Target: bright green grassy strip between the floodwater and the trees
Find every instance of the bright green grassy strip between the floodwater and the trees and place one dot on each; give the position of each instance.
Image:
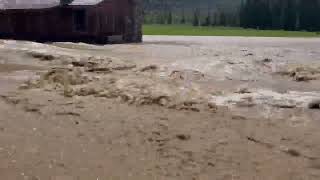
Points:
(188, 30)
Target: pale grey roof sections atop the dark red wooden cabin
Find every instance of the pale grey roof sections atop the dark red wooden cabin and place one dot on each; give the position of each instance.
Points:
(39, 4)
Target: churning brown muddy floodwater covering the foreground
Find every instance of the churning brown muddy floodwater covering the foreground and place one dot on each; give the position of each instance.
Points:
(171, 108)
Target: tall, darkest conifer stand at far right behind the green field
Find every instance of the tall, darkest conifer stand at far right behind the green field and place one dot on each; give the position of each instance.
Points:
(281, 14)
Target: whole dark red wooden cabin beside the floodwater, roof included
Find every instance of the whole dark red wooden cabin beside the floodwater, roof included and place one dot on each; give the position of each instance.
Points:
(92, 21)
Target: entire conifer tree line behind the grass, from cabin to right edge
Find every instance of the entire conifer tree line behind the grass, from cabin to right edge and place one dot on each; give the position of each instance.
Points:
(258, 14)
